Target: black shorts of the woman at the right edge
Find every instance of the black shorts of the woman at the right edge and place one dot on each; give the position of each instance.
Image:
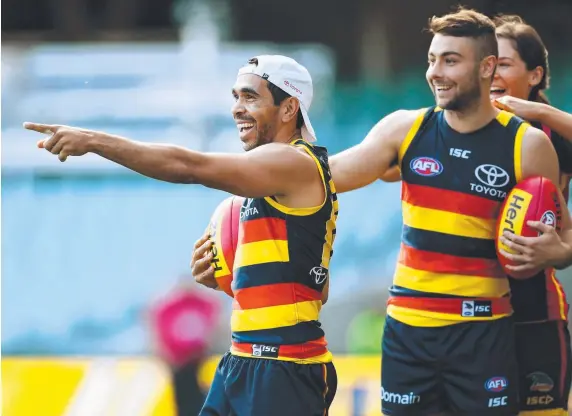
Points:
(543, 354)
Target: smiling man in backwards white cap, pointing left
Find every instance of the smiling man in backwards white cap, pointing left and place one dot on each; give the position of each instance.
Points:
(278, 363)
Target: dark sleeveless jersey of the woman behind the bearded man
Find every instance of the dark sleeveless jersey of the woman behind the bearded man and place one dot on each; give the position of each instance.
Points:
(542, 297)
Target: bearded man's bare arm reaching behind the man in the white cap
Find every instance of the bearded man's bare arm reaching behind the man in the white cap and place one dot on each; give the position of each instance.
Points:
(368, 161)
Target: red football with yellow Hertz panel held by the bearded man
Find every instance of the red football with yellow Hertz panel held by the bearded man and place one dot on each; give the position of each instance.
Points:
(533, 199)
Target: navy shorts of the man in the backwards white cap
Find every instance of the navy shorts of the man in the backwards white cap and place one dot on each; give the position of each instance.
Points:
(245, 386)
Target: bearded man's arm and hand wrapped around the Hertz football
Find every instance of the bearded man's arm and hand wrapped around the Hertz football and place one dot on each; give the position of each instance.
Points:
(549, 249)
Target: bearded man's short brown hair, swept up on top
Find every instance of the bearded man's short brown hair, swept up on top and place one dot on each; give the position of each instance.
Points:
(470, 24)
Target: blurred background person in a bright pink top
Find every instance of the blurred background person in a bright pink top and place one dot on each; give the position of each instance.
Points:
(182, 323)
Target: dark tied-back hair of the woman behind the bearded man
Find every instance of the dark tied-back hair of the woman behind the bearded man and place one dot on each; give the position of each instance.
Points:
(530, 48)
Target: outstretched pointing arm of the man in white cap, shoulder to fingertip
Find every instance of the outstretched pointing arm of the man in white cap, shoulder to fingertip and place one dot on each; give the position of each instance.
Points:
(269, 170)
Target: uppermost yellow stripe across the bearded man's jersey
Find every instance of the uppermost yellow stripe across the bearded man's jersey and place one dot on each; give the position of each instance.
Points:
(447, 222)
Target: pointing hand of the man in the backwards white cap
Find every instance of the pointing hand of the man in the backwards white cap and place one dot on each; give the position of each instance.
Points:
(64, 141)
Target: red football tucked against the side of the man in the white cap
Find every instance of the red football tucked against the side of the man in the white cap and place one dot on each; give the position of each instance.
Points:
(223, 229)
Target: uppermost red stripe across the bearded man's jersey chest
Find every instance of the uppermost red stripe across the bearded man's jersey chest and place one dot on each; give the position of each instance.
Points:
(450, 201)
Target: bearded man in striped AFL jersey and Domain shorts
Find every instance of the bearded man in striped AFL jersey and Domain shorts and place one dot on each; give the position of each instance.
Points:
(448, 343)
